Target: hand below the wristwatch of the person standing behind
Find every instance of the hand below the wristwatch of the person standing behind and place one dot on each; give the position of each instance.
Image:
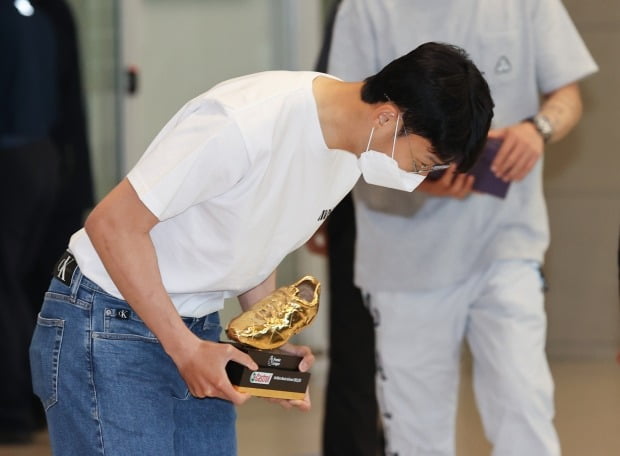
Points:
(521, 149)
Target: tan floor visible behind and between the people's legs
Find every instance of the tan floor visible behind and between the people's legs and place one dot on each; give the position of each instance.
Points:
(587, 403)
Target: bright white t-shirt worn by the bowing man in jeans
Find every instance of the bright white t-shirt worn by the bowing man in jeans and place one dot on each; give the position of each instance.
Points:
(239, 177)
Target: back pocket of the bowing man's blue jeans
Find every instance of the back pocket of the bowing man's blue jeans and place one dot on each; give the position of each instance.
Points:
(44, 358)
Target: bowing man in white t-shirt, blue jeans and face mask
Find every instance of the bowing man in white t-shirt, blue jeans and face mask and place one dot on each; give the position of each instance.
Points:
(125, 355)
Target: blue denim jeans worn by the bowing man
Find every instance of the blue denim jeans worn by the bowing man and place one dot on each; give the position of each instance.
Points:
(109, 388)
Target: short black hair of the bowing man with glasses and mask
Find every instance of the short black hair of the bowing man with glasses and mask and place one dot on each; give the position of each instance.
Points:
(443, 96)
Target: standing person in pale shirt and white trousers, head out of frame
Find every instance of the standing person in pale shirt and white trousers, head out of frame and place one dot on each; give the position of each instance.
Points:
(448, 264)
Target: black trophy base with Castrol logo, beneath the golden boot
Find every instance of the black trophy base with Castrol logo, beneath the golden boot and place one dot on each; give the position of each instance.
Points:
(277, 375)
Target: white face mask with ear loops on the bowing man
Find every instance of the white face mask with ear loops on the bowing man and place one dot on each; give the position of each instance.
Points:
(379, 169)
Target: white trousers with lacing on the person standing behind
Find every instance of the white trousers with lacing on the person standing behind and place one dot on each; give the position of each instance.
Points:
(501, 313)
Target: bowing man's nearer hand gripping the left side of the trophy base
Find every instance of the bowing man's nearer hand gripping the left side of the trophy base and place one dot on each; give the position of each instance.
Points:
(203, 367)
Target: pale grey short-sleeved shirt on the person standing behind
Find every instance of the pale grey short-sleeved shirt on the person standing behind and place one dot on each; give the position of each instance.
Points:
(524, 48)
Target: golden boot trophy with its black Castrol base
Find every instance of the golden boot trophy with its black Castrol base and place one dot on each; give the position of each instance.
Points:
(269, 324)
